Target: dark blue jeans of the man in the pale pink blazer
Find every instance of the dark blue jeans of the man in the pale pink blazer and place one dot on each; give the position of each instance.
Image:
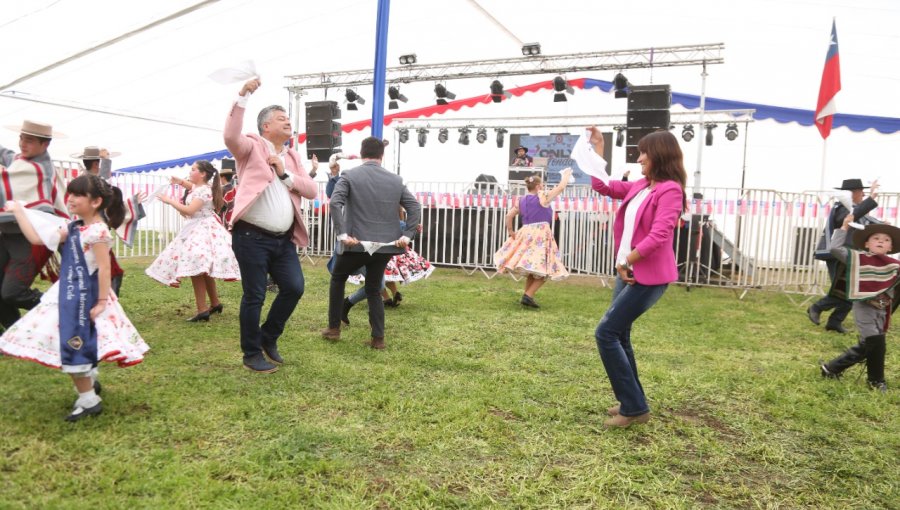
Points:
(258, 256)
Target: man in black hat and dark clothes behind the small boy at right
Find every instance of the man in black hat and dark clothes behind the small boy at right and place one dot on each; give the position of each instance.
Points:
(860, 206)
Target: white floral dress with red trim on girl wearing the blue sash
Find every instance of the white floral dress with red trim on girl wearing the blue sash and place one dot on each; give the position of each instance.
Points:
(35, 336)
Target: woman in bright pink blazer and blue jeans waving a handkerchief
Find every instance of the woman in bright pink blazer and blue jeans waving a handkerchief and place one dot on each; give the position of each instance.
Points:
(645, 261)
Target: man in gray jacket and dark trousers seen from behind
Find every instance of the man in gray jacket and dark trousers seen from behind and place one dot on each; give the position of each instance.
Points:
(365, 209)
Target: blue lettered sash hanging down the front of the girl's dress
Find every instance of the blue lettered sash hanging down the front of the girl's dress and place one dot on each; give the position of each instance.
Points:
(77, 294)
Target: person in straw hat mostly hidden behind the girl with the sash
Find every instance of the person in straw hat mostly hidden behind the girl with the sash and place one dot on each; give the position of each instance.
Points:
(97, 161)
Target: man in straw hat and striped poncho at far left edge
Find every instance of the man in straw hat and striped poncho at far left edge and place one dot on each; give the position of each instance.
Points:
(29, 178)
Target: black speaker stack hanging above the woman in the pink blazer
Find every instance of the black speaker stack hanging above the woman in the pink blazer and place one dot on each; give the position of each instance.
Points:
(648, 111)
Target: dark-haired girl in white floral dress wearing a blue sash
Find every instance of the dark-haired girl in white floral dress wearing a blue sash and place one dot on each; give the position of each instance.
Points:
(79, 321)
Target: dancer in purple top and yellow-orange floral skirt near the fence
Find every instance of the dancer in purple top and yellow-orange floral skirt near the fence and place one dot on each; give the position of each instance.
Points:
(532, 251)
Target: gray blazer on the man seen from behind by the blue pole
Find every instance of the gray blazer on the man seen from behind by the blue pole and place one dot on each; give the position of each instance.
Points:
(366, 205)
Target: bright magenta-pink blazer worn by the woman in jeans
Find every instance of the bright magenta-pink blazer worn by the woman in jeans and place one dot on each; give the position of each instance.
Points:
(654, 226)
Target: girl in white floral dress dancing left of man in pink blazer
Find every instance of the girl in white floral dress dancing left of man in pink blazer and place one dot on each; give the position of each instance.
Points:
(202, 250)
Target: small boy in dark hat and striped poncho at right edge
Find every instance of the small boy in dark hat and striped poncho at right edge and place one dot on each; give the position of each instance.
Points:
(872, 287)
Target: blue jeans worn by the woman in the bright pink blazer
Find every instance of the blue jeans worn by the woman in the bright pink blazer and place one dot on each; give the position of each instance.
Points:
(613, 336)
